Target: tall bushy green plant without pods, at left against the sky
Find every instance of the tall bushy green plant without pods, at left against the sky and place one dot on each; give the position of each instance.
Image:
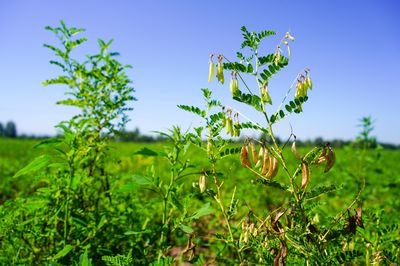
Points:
(75, 200)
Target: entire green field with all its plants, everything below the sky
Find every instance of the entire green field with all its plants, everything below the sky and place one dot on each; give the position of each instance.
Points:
(211, 195)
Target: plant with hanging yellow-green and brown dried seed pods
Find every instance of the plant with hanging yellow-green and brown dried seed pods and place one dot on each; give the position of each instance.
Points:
(289, 234)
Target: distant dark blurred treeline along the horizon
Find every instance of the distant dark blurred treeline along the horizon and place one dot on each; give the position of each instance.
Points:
(9, 130)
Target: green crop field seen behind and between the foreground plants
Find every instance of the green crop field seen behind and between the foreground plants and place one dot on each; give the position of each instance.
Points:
(379, 197)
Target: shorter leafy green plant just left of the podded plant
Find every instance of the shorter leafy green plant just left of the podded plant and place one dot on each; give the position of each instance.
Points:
(175, 207)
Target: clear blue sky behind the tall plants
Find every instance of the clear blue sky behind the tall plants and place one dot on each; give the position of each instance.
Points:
(351, 47)
